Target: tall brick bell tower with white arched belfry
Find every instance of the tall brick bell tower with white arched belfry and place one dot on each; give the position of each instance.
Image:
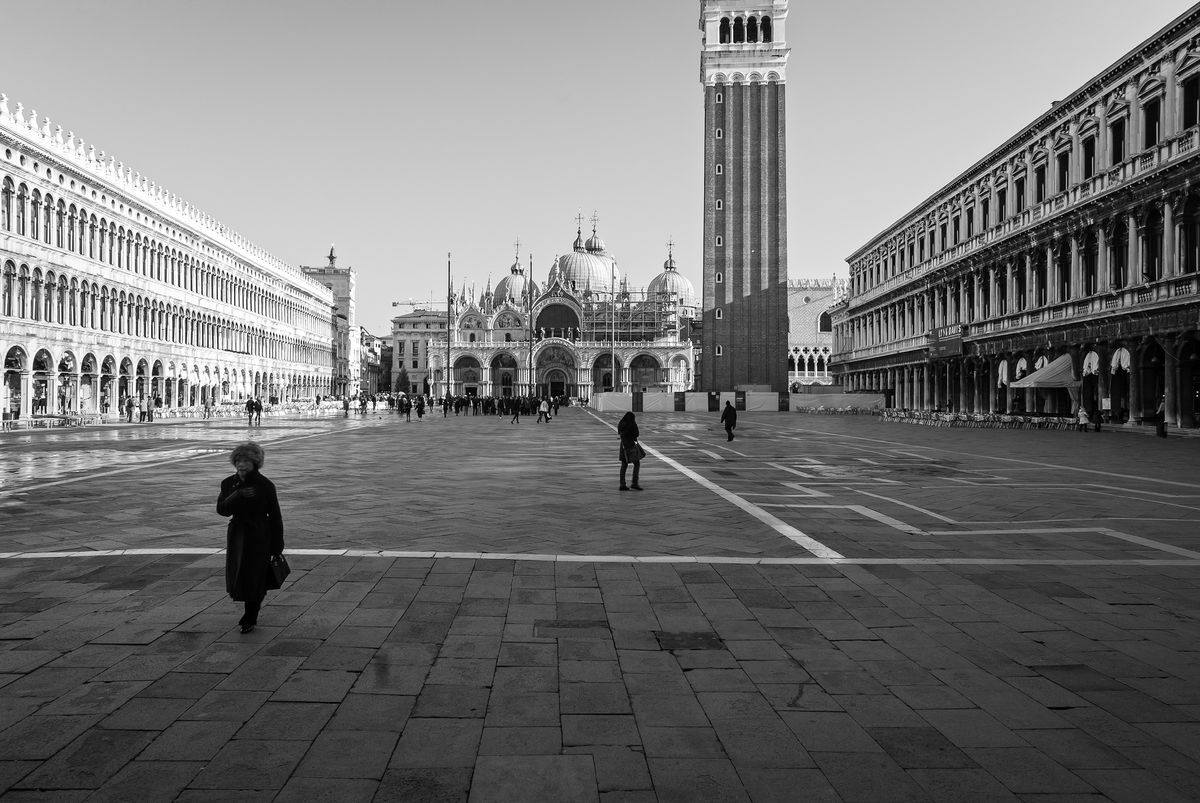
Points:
(743, 68)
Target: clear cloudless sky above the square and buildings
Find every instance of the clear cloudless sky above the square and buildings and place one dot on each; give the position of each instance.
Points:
(401, 131)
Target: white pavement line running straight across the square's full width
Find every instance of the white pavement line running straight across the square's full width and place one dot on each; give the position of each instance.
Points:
(634, 559)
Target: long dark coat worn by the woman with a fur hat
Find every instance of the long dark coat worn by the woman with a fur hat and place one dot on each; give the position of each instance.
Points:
(256, 534)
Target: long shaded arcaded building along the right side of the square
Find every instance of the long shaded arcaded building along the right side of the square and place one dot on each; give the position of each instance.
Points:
(1079, 236)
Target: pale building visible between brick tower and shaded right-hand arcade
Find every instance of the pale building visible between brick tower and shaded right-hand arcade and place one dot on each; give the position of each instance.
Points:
(811, 332)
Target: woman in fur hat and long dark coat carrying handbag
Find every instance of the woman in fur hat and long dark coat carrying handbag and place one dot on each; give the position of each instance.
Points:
(256, 531)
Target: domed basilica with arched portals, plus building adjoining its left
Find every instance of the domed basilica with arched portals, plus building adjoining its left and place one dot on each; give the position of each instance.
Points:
(584, 332)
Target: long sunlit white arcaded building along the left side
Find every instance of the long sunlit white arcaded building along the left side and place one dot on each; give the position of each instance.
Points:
(112, 287)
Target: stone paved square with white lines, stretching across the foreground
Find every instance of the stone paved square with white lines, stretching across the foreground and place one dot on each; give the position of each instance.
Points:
(872, 610)
